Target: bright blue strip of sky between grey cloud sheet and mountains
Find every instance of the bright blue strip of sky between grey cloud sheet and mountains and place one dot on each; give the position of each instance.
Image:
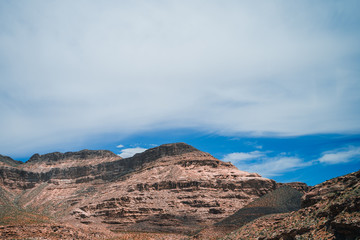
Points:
(256, 155)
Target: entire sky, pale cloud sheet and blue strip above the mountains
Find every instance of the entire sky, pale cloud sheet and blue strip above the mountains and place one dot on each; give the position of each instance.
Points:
(271, 86)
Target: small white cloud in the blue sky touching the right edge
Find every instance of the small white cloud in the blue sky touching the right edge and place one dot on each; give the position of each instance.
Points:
(341, 155)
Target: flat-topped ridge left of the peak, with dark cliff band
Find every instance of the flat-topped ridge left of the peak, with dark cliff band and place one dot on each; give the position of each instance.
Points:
(82, 166)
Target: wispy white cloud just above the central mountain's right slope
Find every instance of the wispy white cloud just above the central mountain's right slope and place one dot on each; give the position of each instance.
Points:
(267, 166)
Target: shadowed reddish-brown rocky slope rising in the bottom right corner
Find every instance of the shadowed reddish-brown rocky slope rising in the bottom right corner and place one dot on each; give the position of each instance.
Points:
(330, 210)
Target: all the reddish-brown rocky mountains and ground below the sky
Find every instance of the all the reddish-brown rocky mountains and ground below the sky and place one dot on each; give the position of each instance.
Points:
(173, 191)
